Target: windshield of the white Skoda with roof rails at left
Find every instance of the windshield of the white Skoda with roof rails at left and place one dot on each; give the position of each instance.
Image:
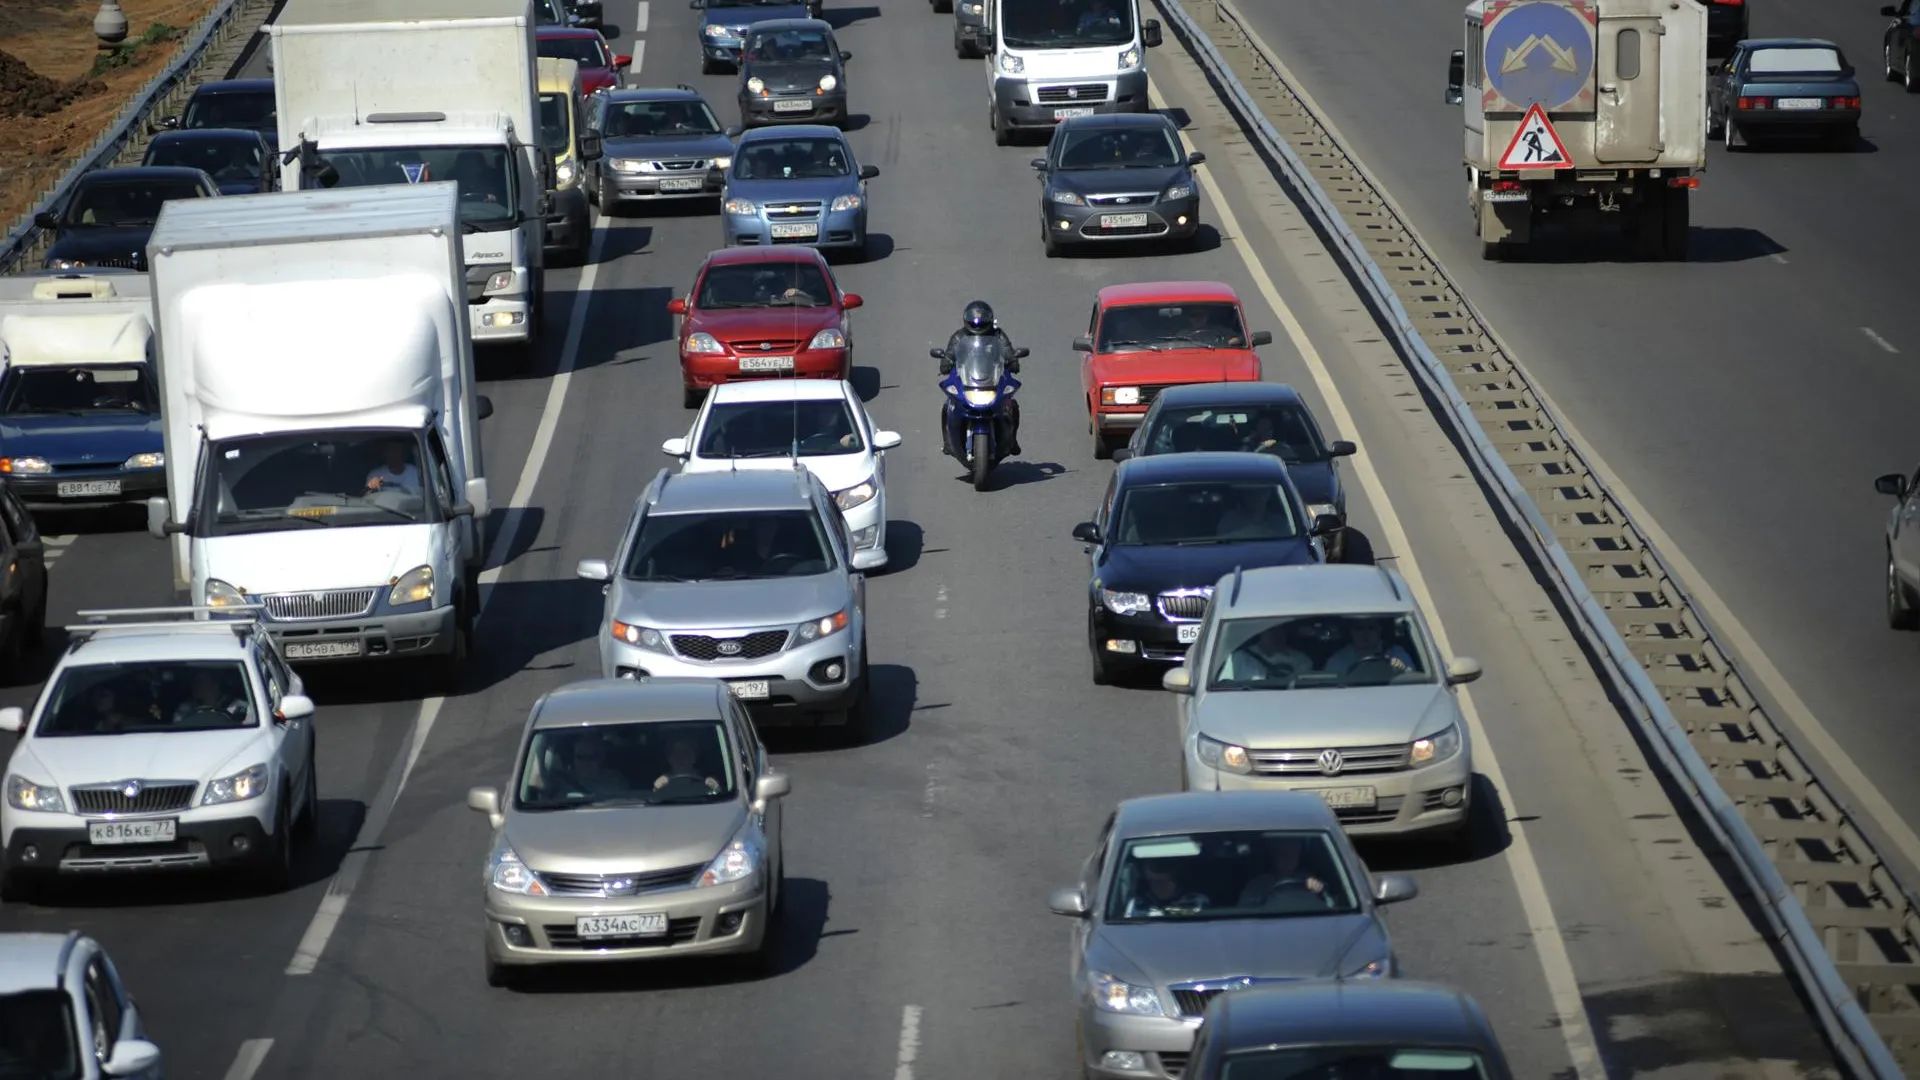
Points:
(149, 697)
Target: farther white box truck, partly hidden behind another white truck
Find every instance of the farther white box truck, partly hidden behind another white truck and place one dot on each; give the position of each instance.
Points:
(373, 93)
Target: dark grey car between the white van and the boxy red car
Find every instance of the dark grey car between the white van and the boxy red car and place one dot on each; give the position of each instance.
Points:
(1116, 178)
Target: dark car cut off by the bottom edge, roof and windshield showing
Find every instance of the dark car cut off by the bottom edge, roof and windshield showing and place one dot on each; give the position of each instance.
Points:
(1383, 1029)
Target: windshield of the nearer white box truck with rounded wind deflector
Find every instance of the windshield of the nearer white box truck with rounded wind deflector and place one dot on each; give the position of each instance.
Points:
(337, 479)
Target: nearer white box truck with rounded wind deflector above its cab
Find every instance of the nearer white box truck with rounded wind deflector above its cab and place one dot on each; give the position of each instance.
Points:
(322, 424)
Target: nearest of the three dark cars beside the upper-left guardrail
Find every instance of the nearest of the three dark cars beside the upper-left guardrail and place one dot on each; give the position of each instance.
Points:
(112, 212)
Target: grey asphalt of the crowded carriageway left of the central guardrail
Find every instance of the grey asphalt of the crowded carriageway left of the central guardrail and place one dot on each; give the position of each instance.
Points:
(919, 943)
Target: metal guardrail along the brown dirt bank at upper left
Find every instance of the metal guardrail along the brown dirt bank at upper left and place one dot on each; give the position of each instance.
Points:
(201, 57)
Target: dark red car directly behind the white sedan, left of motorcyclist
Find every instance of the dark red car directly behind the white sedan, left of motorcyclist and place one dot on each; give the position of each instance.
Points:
(763, 314)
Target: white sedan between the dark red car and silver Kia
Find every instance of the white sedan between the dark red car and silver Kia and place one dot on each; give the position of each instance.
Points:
(771, 424)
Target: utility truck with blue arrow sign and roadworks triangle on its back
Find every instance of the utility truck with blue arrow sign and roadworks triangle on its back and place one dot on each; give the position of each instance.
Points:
(1583, 110)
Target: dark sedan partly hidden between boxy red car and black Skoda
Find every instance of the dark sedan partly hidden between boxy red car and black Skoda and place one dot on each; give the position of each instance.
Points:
(1262, 418)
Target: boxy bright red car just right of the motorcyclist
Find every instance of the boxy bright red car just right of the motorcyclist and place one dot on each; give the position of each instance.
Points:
(1147, 337)
